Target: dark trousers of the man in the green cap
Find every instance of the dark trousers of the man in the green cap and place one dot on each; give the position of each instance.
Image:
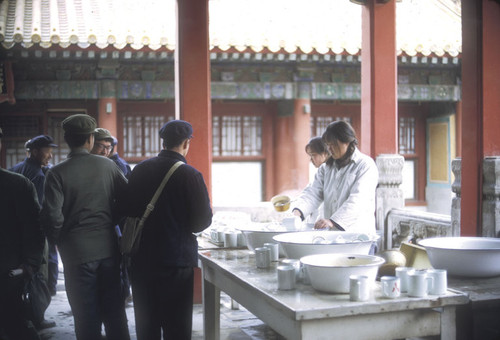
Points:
(95, 298)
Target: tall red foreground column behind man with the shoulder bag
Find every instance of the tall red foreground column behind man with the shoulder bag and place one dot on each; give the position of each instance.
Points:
(192, 82)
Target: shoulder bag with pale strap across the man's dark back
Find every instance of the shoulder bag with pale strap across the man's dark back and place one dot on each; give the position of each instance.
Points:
(132, 230)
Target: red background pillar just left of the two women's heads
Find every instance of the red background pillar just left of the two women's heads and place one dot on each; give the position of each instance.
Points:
(292, 134)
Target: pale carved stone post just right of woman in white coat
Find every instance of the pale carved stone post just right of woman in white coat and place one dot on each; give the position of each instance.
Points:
(389, 194)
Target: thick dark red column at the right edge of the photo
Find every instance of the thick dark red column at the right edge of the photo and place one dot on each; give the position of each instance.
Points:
(480, 103)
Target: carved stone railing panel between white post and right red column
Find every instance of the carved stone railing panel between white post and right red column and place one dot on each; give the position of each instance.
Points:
(404, 225)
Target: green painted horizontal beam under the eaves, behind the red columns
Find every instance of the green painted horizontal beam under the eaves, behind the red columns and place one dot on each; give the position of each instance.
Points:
(143, 90)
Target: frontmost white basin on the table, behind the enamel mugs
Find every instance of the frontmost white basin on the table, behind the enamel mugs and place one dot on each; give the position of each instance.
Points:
(330, 272)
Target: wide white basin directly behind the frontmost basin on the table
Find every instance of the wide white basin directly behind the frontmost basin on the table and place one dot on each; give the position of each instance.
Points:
(297, 245)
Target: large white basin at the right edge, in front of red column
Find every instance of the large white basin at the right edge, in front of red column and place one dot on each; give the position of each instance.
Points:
(464, 256)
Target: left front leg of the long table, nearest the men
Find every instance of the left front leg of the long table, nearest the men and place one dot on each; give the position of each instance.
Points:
(211, 311)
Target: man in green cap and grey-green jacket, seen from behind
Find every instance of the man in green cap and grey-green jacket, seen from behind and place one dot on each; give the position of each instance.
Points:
(77, 215)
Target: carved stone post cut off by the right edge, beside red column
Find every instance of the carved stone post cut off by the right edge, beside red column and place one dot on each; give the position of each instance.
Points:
(491, 196)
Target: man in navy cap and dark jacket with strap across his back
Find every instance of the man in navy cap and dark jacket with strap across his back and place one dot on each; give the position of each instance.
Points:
(162, 272)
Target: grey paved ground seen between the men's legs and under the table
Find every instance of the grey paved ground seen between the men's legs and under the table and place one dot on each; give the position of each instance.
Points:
(236, 324)
